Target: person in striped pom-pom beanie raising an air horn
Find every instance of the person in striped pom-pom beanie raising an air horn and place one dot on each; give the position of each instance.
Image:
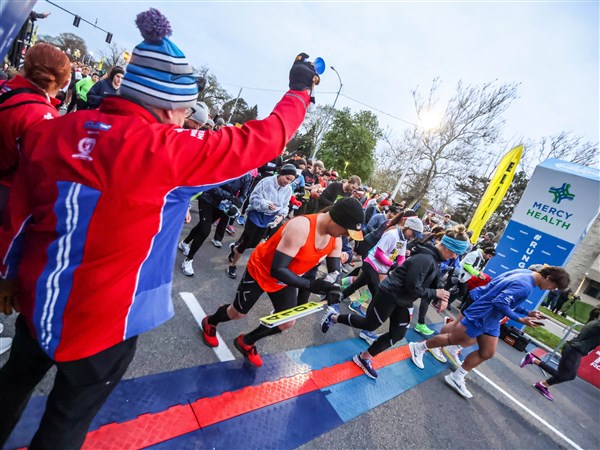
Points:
(129, 172)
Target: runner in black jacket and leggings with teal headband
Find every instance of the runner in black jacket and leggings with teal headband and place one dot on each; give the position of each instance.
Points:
(417, 278)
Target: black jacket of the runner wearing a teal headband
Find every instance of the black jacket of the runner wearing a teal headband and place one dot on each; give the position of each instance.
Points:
(417, 277)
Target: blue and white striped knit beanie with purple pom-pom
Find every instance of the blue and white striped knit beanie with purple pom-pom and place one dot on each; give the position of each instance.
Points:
(158, 73)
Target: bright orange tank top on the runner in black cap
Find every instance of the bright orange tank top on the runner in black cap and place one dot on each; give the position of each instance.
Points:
(261, 260)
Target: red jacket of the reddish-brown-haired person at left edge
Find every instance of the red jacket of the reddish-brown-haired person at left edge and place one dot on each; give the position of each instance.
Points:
(18, 114)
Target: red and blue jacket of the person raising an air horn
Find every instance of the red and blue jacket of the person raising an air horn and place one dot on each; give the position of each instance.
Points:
(97, 206)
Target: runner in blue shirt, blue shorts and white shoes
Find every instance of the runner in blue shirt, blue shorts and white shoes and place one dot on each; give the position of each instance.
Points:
(481, 321)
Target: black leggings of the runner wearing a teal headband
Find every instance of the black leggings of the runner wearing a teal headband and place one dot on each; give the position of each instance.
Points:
(380, 309)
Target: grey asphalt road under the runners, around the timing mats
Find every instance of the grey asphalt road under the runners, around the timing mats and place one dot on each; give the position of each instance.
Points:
(428, 416)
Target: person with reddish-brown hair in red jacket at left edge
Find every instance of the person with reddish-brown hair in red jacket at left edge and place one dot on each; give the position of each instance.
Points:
(27, 100)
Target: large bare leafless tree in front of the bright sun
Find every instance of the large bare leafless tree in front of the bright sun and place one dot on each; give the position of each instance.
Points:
(471, 122)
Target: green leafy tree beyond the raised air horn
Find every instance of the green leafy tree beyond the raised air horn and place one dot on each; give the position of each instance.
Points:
(350, 143)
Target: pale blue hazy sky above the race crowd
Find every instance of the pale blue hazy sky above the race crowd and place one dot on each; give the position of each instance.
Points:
(382, 51)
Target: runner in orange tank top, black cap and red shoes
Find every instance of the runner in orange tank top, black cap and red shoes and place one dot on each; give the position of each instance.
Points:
(277, 267)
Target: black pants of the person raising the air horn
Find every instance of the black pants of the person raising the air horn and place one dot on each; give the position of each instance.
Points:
(80, 389)
